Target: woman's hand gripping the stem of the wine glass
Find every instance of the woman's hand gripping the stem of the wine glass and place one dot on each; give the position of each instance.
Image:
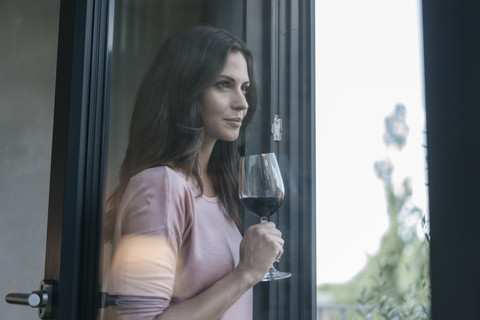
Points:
(261, 246)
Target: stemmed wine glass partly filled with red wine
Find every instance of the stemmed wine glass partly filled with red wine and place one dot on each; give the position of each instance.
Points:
(262, 193)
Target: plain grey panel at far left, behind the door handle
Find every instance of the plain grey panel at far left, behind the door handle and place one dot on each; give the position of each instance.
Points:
(28, 38)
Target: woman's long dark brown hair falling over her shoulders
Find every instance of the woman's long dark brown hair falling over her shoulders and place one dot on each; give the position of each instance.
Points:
(167, 126)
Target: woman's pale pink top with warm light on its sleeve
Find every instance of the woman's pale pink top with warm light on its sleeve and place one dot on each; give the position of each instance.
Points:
(169, 245)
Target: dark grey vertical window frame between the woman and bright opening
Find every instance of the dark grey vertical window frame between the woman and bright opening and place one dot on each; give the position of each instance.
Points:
(286, 68)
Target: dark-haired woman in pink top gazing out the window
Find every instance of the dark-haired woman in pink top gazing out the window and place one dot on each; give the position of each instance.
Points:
(178, 253)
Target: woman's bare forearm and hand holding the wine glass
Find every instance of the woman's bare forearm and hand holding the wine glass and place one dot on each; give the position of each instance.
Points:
(261, 246)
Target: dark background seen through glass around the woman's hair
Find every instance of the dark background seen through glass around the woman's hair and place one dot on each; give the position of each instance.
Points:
(140, 28)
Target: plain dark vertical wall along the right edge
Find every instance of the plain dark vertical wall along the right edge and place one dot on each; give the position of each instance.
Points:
(452, 92)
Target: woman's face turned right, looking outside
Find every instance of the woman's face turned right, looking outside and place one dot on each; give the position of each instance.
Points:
(223, 103)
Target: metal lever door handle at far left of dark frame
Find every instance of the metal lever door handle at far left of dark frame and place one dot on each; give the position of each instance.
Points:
(41, 299)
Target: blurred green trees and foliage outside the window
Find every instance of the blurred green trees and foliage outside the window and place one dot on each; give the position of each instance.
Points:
(395, 282)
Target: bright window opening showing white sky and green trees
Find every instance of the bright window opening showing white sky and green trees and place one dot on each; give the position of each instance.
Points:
(371, 175)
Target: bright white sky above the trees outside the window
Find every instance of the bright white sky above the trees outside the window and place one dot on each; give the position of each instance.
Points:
(368, 60)
